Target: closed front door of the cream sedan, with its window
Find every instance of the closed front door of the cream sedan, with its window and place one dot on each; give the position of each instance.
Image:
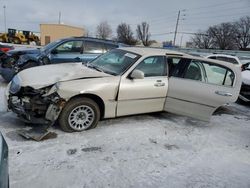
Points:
(147, 94)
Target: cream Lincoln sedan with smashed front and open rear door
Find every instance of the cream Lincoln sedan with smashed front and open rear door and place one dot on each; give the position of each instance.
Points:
(123, 82)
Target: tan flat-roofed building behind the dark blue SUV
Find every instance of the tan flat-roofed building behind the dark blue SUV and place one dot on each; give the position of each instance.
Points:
(52, 32)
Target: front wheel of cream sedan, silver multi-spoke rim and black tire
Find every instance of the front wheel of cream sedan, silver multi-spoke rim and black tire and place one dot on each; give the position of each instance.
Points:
(79, 114)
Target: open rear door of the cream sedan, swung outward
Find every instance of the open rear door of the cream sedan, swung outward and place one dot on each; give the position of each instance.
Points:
(197, 88)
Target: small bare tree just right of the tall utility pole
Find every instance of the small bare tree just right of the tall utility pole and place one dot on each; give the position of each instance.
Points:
(202, 40)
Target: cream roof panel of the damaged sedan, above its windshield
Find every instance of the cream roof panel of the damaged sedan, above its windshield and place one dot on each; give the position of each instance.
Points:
(152, 51)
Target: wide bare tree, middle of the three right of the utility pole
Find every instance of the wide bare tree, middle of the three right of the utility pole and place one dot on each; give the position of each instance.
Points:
(223, 36)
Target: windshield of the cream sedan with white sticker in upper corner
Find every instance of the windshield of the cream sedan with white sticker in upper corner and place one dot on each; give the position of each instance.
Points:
(114, 62)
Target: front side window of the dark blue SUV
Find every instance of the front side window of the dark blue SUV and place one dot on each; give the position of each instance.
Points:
(70, 47)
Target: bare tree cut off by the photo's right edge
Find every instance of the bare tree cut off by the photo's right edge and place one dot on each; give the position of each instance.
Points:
(242, 32)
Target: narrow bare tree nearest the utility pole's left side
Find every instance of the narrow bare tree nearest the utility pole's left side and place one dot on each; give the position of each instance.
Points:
(143, 33)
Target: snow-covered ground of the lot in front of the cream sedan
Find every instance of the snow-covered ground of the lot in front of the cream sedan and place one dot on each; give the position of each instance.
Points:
(152, 150)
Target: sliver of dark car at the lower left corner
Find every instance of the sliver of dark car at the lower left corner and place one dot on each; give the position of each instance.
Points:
(4, 172)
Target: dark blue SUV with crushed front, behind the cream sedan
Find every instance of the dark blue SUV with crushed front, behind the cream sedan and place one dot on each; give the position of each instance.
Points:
(74, 49)
